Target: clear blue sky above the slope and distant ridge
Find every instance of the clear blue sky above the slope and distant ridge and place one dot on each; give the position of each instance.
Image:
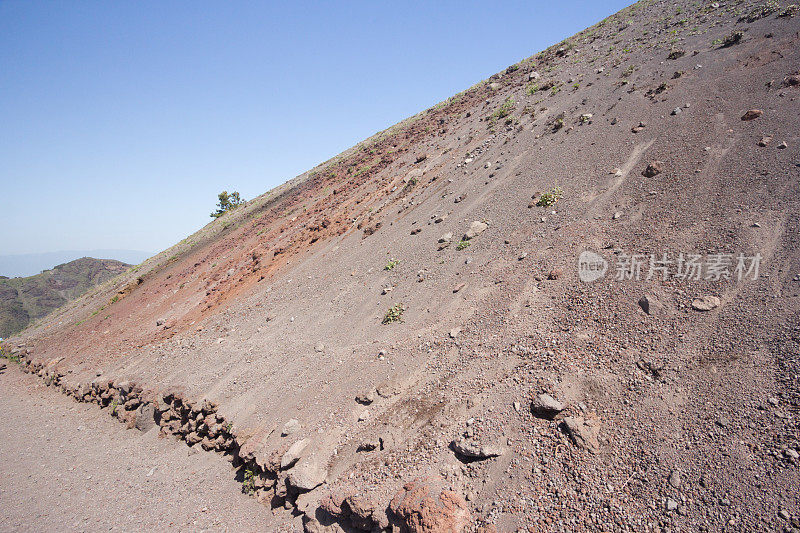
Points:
(121, 121)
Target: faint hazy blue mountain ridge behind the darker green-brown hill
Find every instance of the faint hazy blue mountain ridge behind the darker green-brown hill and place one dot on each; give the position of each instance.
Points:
(31, 264)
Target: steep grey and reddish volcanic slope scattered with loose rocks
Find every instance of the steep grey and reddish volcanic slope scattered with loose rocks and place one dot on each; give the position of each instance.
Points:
(405, 304)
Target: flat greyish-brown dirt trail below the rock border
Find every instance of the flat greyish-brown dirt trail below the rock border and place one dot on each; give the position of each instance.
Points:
(67, 466)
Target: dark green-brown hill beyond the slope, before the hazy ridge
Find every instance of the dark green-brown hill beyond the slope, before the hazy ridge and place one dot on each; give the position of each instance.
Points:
(26, 299)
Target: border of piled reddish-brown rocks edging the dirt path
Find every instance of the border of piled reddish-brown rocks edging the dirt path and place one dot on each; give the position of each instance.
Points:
(272, 483)
